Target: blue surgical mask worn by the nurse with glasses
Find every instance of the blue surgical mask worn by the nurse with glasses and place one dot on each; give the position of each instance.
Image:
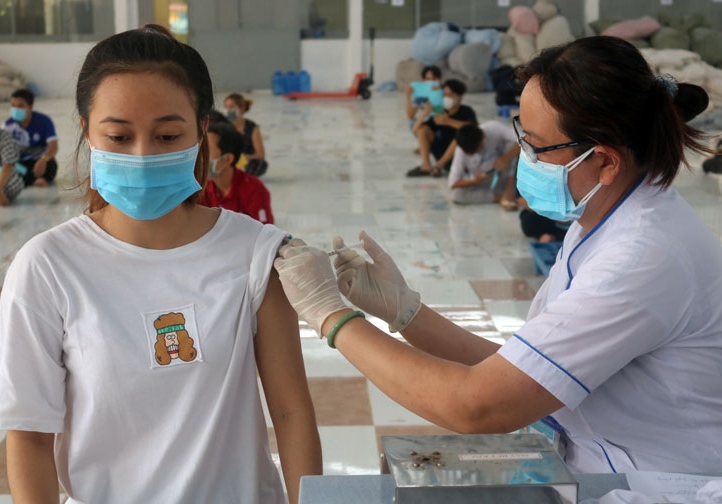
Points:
(545, 189)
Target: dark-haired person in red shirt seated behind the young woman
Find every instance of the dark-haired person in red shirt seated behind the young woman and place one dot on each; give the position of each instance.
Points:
(228, 187)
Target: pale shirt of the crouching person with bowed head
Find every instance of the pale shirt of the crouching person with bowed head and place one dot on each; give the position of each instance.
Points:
(498, 139)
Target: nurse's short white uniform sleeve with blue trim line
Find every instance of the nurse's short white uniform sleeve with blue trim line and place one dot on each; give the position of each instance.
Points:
(617, 308)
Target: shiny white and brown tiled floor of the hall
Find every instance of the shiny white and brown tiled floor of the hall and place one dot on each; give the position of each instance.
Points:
(337, 167)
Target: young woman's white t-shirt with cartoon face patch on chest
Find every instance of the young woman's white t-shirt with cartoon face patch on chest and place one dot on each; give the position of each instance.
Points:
(142, 362)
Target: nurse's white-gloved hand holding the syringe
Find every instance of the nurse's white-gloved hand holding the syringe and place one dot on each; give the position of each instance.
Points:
(377, 288)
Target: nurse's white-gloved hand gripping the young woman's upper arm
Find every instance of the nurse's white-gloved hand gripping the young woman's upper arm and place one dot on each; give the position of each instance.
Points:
(309, 283)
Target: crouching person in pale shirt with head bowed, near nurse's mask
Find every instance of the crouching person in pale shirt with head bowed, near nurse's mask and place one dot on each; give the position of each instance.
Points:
(484, 165)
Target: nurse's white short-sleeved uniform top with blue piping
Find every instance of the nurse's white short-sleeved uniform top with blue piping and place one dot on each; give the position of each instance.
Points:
(627, 333)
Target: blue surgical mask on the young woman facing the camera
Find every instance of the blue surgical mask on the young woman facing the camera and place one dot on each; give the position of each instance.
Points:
(144, 187)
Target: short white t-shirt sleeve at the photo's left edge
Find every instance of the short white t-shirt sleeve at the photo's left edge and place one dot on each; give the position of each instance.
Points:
(32, 372)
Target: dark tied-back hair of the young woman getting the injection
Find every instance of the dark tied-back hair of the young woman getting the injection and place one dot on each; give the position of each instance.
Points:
(150, 48)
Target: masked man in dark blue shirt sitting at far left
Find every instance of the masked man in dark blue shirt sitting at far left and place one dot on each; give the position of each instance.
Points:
(35, 134)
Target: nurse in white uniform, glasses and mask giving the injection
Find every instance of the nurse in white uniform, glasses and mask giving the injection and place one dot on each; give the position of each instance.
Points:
(623, 342)
